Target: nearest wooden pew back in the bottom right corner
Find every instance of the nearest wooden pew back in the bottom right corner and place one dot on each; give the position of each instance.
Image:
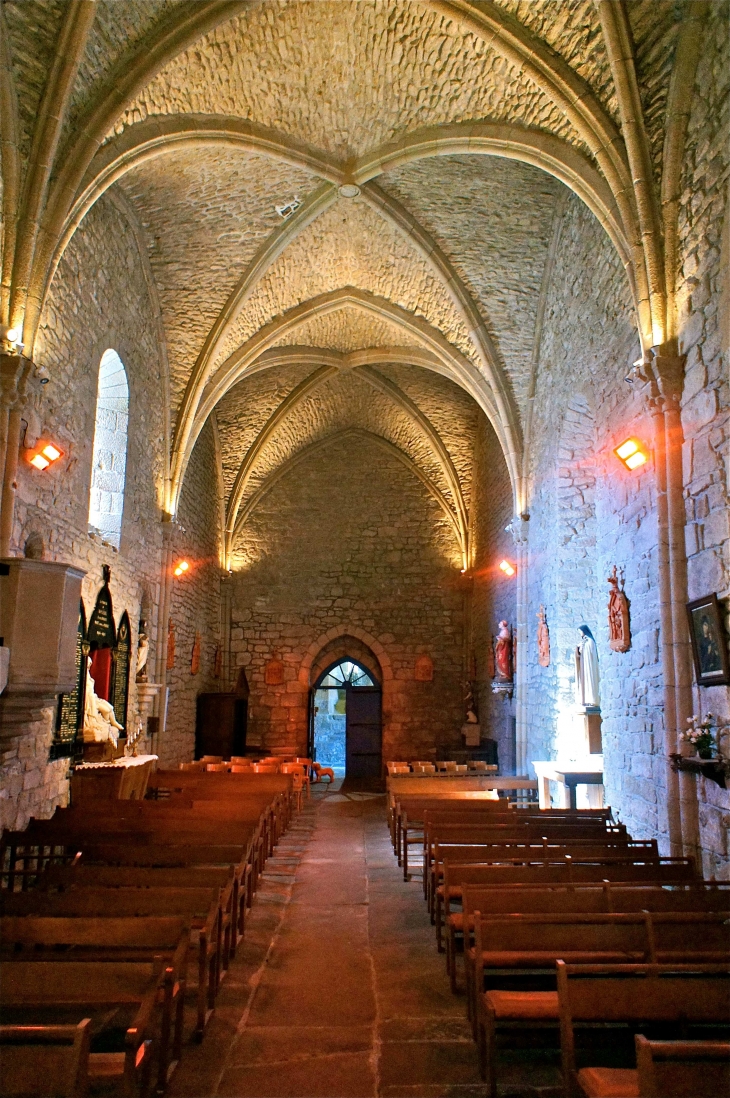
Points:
(682, 1069)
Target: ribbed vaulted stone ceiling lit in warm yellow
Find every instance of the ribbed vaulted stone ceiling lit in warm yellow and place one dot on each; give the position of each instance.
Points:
(331, 247)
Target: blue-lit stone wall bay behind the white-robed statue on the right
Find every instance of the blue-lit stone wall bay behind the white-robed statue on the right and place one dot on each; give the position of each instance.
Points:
(587, 514)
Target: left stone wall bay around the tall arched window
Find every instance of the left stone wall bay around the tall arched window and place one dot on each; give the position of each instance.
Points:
(99, 300)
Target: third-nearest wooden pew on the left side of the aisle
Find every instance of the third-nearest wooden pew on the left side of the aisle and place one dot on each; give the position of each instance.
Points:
(110, 938)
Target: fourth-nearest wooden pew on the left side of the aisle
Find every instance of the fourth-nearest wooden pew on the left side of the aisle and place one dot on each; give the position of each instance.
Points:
(201, 907)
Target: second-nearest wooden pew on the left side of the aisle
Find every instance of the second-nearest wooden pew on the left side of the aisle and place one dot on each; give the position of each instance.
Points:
(62, 992)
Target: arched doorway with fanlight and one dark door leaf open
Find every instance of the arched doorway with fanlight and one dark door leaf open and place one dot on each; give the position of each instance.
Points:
(346, 720)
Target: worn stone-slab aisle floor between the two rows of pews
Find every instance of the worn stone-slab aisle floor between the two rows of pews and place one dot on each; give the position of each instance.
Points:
(338, 990)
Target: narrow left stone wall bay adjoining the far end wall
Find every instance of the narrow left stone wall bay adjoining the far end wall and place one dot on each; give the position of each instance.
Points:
(195, 607)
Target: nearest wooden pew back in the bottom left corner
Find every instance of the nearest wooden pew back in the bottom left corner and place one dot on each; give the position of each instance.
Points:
(46, 1061)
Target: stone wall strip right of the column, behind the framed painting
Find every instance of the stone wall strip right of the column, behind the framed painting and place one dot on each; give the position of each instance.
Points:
(704, 327)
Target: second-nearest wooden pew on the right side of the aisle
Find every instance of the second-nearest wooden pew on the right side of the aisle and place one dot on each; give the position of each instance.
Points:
(608, 994)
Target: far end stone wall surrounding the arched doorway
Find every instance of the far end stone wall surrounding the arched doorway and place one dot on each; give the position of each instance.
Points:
(350, 543)
